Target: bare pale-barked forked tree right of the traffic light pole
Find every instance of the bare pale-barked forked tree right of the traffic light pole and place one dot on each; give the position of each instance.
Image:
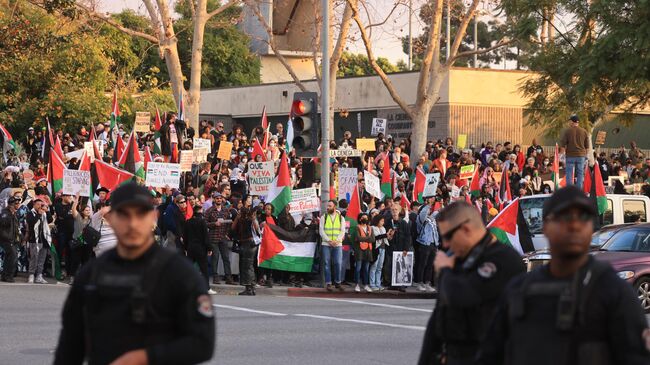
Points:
(433, 69)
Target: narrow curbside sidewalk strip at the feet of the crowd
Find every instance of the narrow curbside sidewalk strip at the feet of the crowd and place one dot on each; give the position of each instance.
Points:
(348, 292)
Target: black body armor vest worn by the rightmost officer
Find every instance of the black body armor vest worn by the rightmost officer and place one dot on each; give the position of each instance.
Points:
(575, 339)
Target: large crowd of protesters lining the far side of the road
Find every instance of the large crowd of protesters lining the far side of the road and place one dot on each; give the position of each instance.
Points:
(213, 215)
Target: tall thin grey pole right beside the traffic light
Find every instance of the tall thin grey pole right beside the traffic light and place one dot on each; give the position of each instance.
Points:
(325, 108)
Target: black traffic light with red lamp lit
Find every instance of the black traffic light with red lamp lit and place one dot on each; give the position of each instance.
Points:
(306, 124)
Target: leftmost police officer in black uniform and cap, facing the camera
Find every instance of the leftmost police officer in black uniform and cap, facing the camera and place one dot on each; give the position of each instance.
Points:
(137, 303)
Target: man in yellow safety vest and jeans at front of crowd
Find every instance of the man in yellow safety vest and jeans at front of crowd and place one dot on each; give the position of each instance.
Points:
(332, 230)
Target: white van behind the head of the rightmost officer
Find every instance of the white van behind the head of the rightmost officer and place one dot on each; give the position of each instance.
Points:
(620, 209)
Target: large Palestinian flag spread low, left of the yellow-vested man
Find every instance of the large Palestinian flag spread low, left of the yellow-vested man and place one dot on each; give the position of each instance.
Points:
(287, 251)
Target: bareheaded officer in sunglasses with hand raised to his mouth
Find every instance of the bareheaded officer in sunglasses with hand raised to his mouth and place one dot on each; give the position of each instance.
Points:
(471, 275)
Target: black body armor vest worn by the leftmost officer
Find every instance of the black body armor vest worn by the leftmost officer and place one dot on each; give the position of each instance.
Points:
(119, 313)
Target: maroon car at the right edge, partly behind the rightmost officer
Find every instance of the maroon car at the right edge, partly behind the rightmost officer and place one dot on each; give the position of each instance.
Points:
(628, 251)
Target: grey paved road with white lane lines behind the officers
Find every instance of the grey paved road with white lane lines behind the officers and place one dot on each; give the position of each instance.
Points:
(251, 330)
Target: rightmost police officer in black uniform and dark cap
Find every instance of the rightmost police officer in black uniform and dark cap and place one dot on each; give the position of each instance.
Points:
(575, 309)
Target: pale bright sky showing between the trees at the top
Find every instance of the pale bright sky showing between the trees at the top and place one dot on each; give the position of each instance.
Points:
(386, 39)
